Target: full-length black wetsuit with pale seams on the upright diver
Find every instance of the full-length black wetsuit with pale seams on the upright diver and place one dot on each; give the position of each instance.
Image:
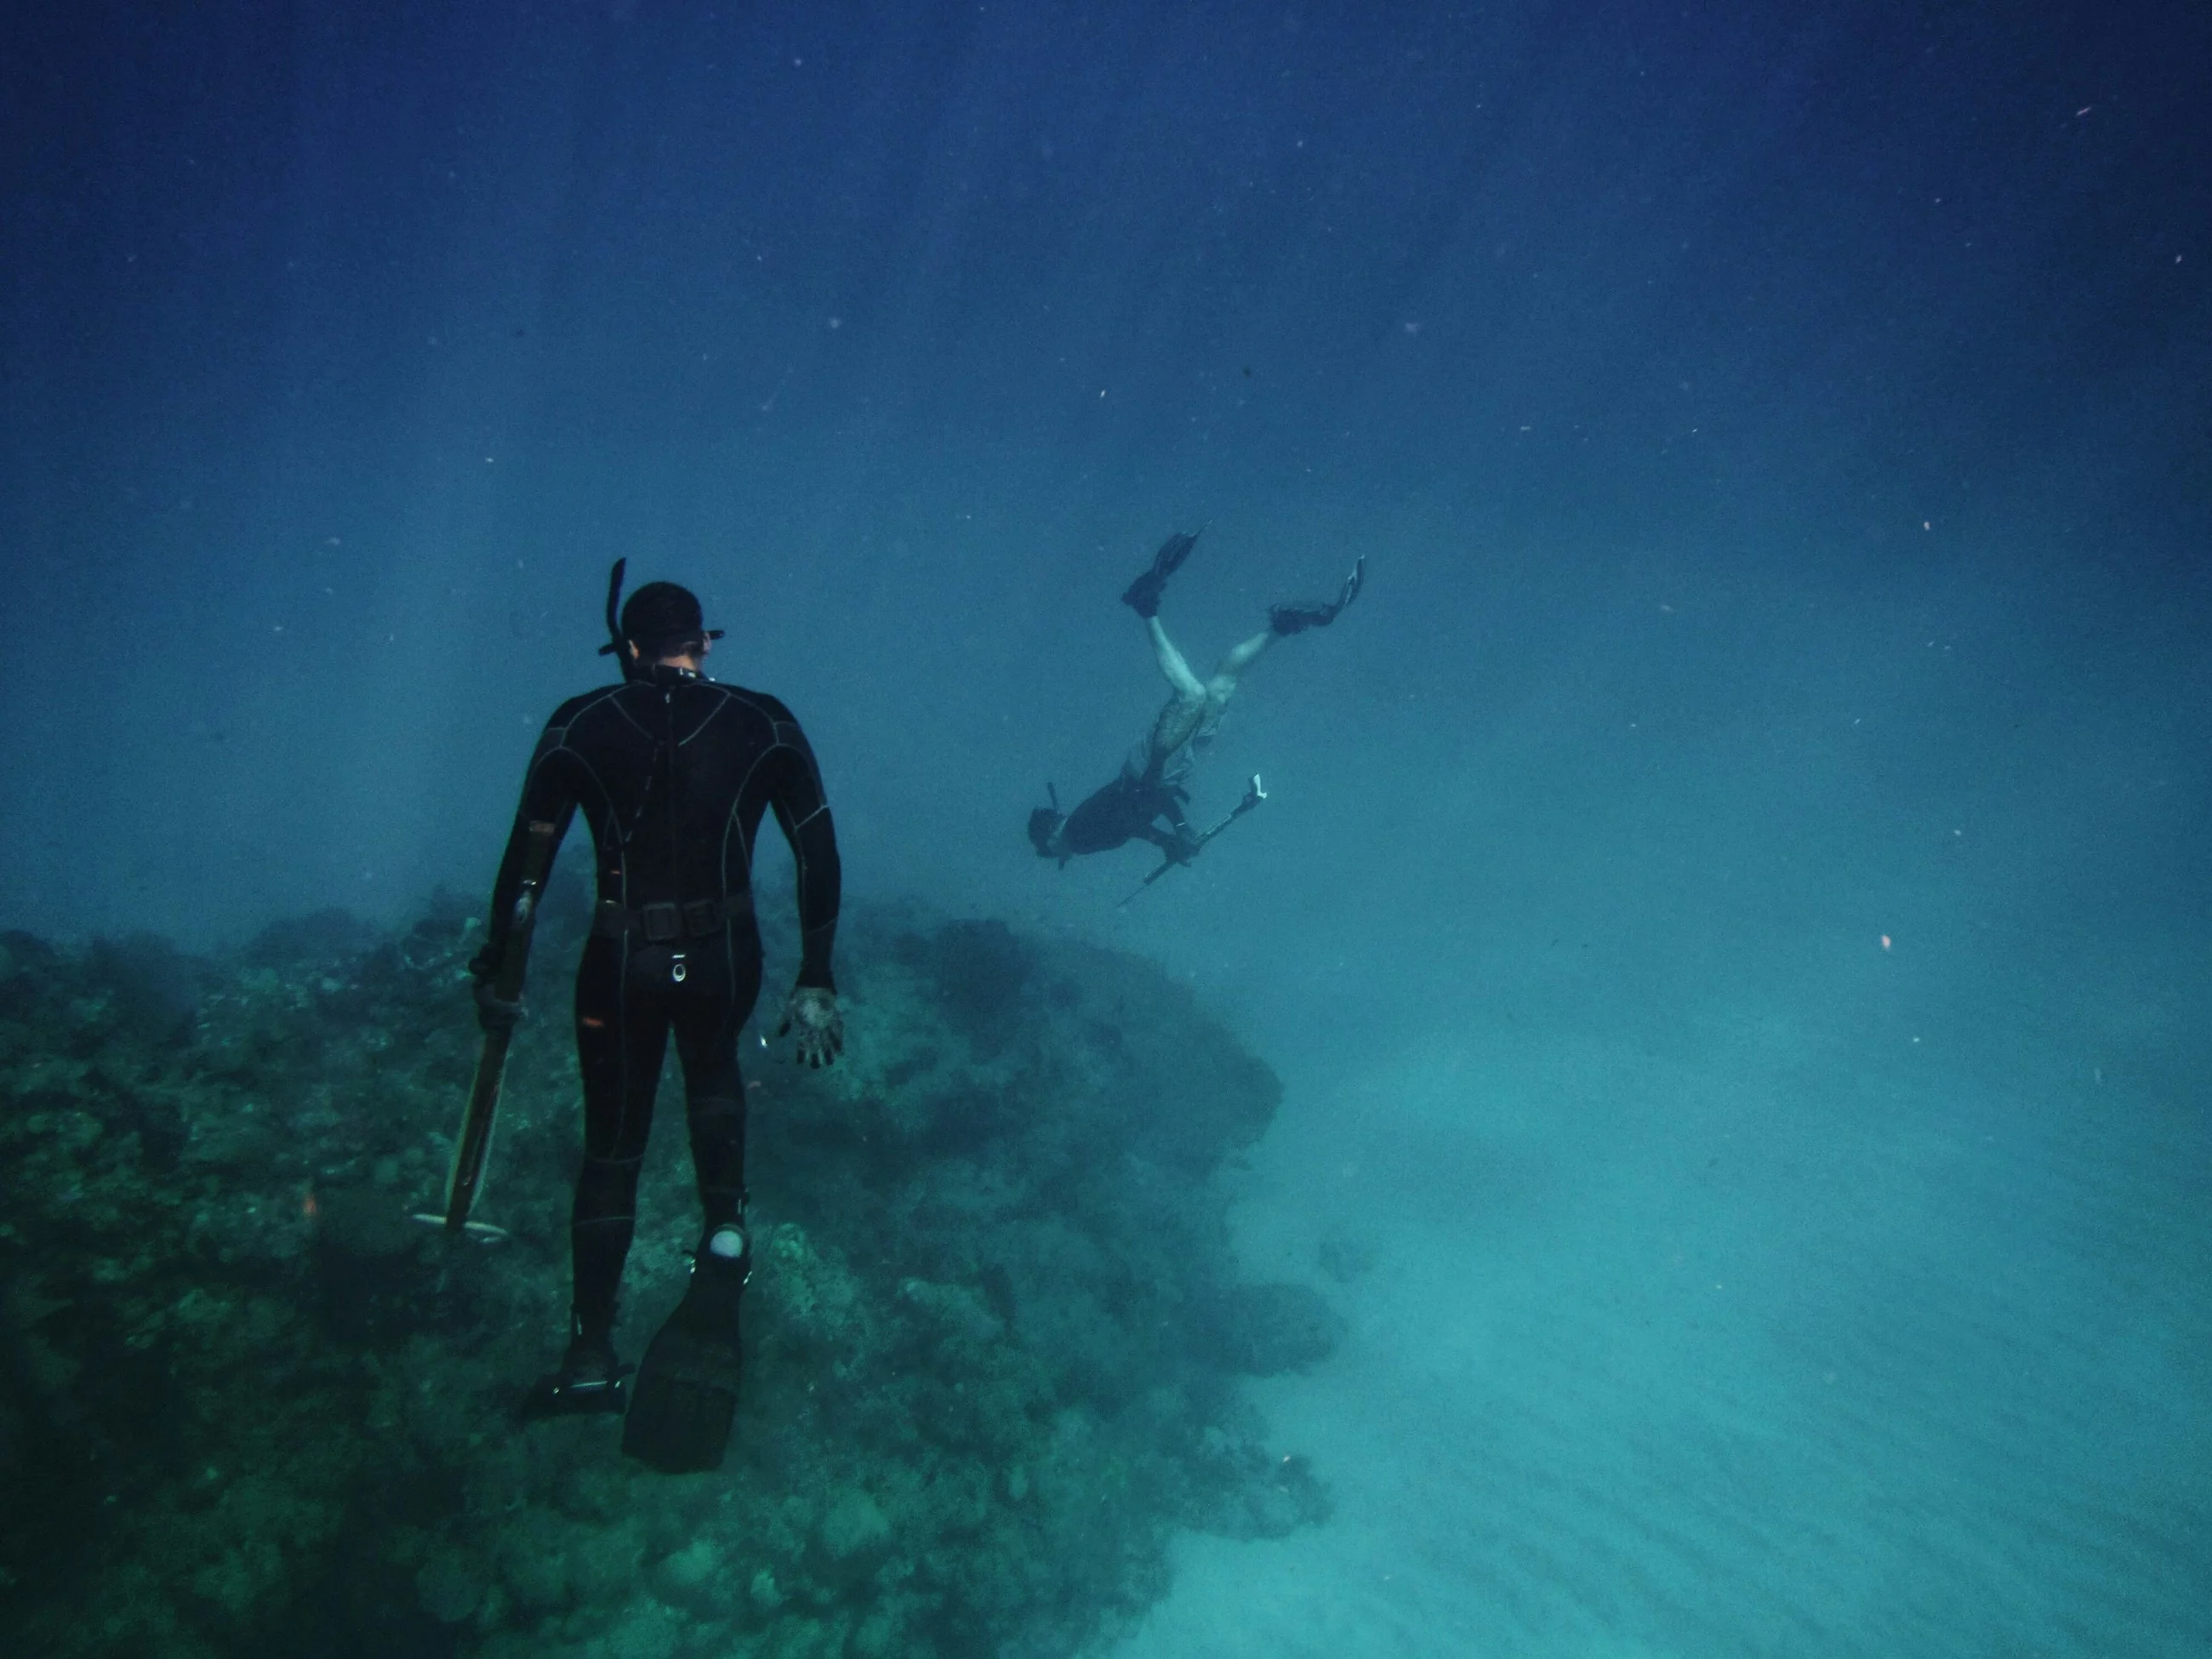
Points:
(674, 775)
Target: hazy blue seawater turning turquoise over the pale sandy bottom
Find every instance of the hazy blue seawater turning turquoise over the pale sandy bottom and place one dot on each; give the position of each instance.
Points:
(1731, 908)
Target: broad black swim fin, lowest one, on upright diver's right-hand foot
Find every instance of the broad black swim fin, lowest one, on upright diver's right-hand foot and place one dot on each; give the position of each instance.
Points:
(685, 1395)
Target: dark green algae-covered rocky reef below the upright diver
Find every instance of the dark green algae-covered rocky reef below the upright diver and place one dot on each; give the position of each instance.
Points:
(994, 1335)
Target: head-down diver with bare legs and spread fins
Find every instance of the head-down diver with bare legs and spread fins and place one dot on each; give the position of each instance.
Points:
(1147, 800)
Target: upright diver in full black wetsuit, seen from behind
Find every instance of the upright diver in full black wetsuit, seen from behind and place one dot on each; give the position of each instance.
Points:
(674, 775)
